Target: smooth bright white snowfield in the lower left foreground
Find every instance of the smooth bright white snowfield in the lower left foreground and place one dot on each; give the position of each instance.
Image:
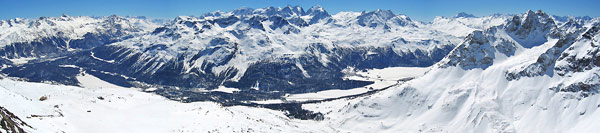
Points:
(74, 109)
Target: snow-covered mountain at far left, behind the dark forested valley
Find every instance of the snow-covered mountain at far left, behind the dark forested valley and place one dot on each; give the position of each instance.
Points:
(26, 39)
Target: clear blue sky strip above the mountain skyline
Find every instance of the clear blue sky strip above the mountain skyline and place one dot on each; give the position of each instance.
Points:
(422, 10)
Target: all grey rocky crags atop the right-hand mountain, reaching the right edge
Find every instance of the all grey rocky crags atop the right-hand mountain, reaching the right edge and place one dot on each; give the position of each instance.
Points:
(569, 50)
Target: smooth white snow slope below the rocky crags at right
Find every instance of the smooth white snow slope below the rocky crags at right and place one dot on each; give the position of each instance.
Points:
(456, 100)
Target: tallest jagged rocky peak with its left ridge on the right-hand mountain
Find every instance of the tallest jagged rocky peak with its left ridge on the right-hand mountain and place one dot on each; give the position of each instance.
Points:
(478, 50)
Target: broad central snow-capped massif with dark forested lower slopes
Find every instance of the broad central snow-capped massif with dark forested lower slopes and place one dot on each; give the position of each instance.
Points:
(266, 53)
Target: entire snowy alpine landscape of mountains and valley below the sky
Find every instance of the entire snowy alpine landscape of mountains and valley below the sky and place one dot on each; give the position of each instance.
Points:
(286, 69)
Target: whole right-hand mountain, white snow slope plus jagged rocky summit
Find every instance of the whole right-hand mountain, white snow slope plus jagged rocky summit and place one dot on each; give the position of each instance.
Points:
(455, 98)
